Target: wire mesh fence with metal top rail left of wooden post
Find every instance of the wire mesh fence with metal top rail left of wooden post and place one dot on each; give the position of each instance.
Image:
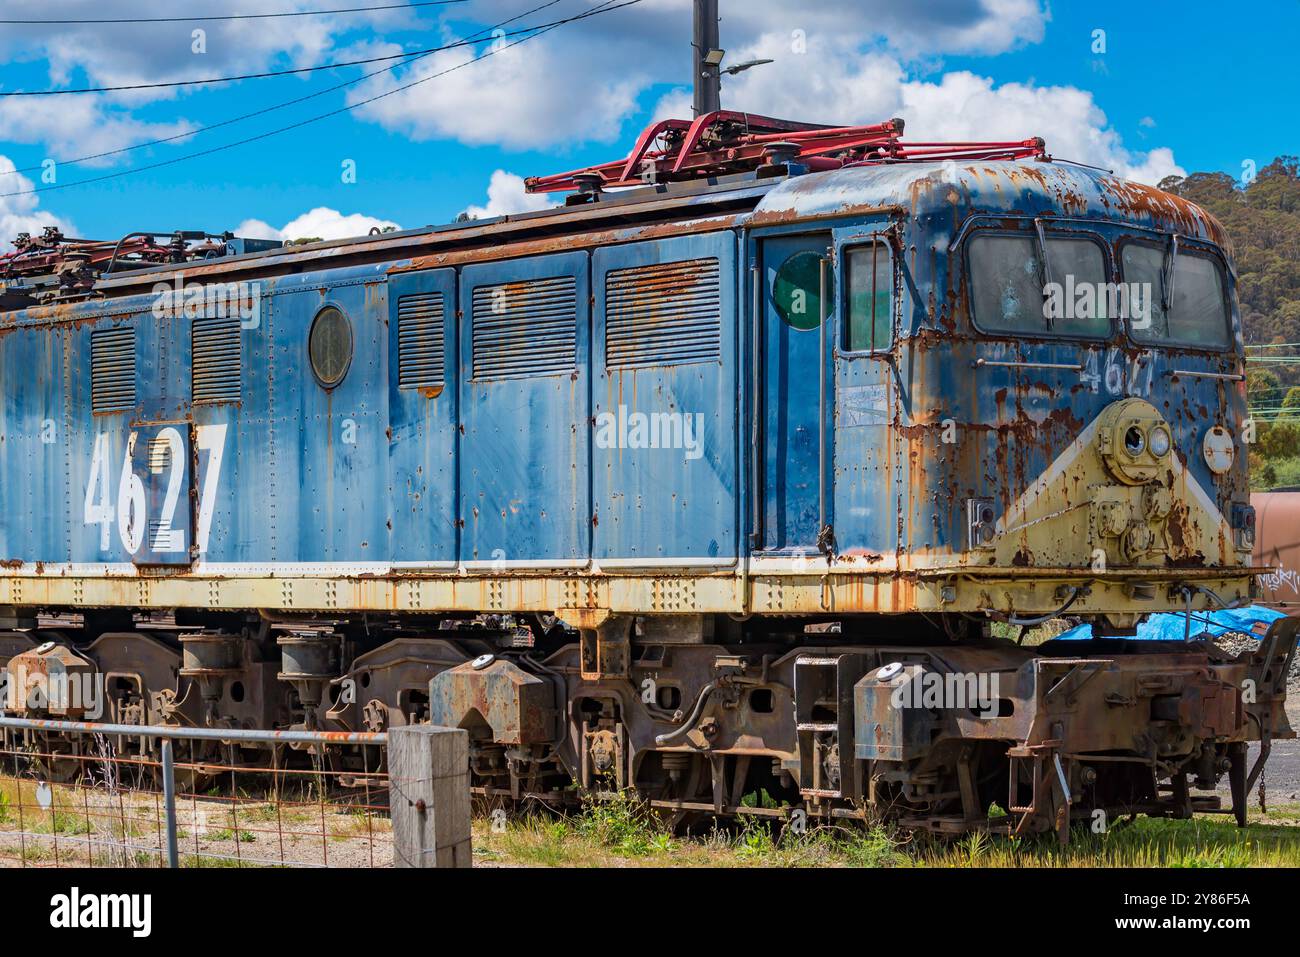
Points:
(118, 796)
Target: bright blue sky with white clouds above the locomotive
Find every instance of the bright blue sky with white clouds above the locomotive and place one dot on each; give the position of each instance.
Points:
(1172, 92)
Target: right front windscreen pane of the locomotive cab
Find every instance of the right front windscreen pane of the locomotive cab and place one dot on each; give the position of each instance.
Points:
(1194, 314)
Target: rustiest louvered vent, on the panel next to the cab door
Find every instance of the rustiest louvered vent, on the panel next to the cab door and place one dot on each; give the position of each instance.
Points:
(668, 314)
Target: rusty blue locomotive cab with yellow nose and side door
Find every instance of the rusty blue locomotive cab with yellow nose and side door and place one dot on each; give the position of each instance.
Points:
(1029, 370)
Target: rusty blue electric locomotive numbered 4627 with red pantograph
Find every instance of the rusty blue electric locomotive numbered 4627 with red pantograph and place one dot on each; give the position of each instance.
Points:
(740, 473)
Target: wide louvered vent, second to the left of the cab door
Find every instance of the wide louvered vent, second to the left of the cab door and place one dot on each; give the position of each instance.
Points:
(526, 328)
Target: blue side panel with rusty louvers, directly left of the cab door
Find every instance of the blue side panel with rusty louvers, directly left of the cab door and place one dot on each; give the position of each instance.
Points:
(664, 464)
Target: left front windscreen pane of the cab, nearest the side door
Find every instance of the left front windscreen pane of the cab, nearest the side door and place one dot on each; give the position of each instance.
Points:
(1011, 292)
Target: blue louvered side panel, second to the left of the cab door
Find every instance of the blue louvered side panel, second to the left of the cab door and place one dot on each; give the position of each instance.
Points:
(525, 408)
